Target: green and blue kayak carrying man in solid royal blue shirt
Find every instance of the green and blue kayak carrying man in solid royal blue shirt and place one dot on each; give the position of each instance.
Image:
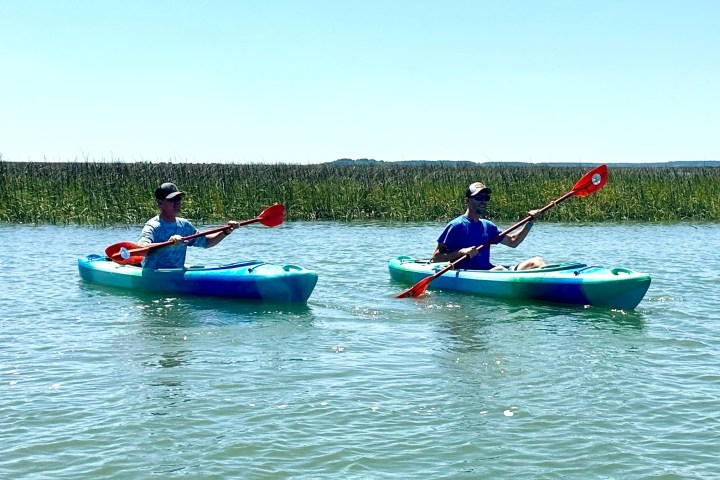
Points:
(573, 283)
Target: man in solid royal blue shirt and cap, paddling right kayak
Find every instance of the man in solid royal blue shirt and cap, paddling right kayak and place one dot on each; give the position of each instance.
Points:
(470, 230)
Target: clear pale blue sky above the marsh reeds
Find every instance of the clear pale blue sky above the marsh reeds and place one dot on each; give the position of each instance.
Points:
(293, 81)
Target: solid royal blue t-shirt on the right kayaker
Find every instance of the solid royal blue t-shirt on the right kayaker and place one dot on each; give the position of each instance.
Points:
(462, 232)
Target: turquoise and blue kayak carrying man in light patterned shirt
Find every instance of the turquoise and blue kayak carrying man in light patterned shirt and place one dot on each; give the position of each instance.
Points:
(251, 280)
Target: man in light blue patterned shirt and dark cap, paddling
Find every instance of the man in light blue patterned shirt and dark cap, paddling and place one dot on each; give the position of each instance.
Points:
(168, 226)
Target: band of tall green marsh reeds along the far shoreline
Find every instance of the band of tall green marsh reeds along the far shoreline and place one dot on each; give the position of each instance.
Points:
(119, 193)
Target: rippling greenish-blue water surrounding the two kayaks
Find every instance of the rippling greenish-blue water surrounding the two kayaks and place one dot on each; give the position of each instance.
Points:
(102, 383)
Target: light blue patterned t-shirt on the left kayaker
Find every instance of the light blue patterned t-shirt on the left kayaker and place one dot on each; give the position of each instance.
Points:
(157, 230)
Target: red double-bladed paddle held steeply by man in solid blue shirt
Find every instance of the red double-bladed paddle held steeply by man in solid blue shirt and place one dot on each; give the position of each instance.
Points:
(590, 183)
